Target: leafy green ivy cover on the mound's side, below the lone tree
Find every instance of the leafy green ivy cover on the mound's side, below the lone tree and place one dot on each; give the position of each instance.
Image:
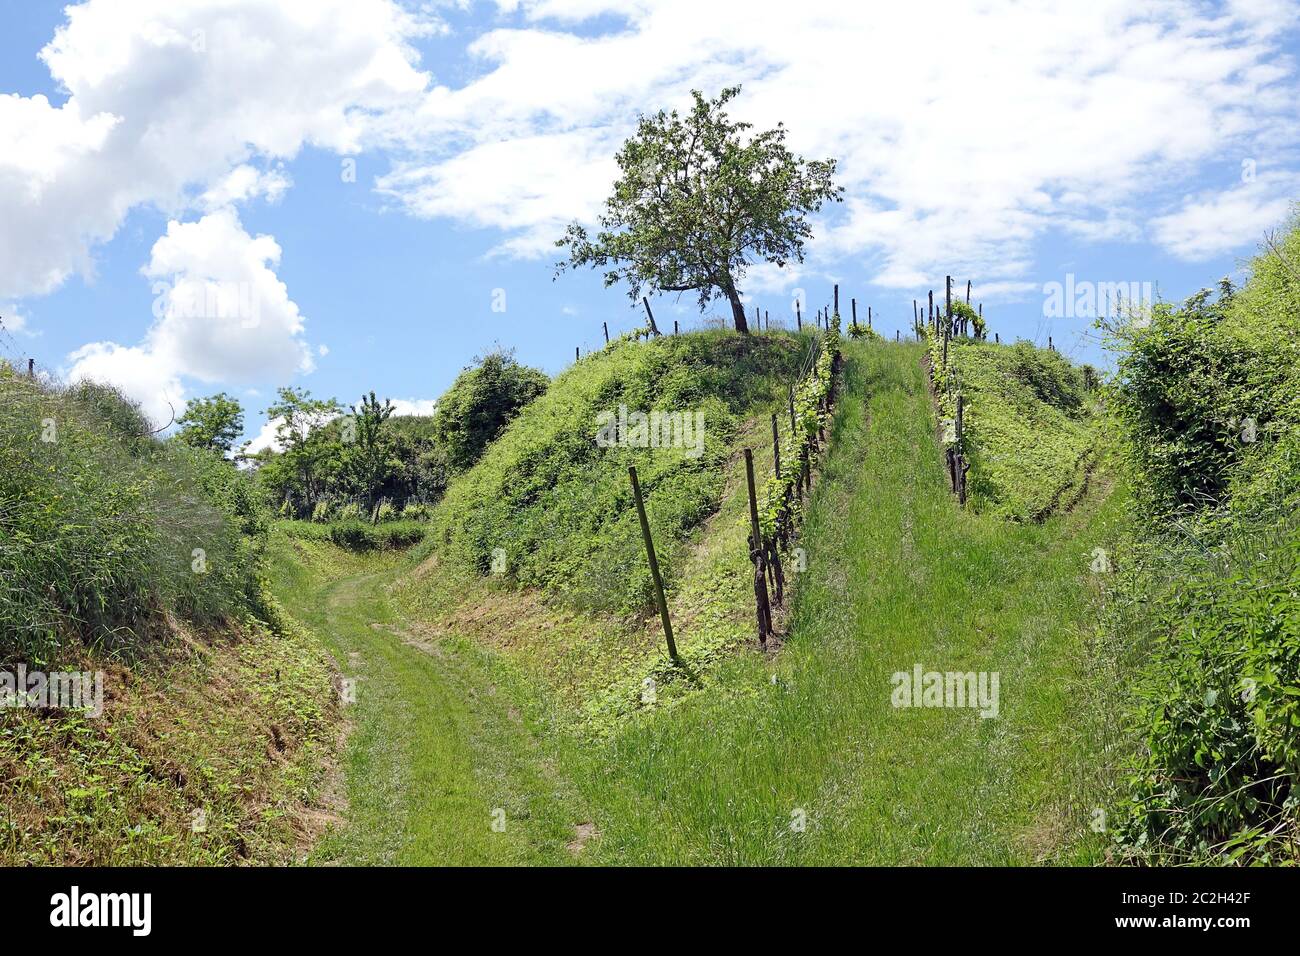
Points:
(560, 505)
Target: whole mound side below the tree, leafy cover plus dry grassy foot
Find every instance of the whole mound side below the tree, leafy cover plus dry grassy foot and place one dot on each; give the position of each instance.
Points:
(538, 550)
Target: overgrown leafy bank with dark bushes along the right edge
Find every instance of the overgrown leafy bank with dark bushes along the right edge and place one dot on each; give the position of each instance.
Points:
(1207, 408)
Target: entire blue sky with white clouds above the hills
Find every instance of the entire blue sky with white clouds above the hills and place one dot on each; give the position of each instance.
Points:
(183, 145)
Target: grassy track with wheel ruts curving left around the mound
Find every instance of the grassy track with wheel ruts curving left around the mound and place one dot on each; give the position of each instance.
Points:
(437, 743)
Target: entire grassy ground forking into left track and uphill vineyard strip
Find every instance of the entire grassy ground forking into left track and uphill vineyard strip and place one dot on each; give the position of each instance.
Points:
(458, 717)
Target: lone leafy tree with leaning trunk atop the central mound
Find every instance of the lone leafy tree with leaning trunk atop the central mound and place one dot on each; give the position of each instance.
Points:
(699, 202)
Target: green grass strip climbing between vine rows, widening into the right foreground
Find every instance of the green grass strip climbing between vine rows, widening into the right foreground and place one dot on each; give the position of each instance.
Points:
(898, 577)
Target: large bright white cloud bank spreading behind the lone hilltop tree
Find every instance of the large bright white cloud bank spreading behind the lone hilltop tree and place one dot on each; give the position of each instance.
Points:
(965, 132)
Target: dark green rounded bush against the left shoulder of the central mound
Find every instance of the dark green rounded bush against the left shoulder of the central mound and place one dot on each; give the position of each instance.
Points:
(482, 403)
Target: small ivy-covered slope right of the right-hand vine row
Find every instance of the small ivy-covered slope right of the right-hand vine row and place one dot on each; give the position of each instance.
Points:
(1029, 421)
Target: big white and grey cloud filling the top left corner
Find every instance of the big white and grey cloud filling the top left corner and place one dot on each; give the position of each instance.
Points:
(164, 96)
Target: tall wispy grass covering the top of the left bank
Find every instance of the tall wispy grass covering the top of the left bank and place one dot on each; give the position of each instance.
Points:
(103, 527)
